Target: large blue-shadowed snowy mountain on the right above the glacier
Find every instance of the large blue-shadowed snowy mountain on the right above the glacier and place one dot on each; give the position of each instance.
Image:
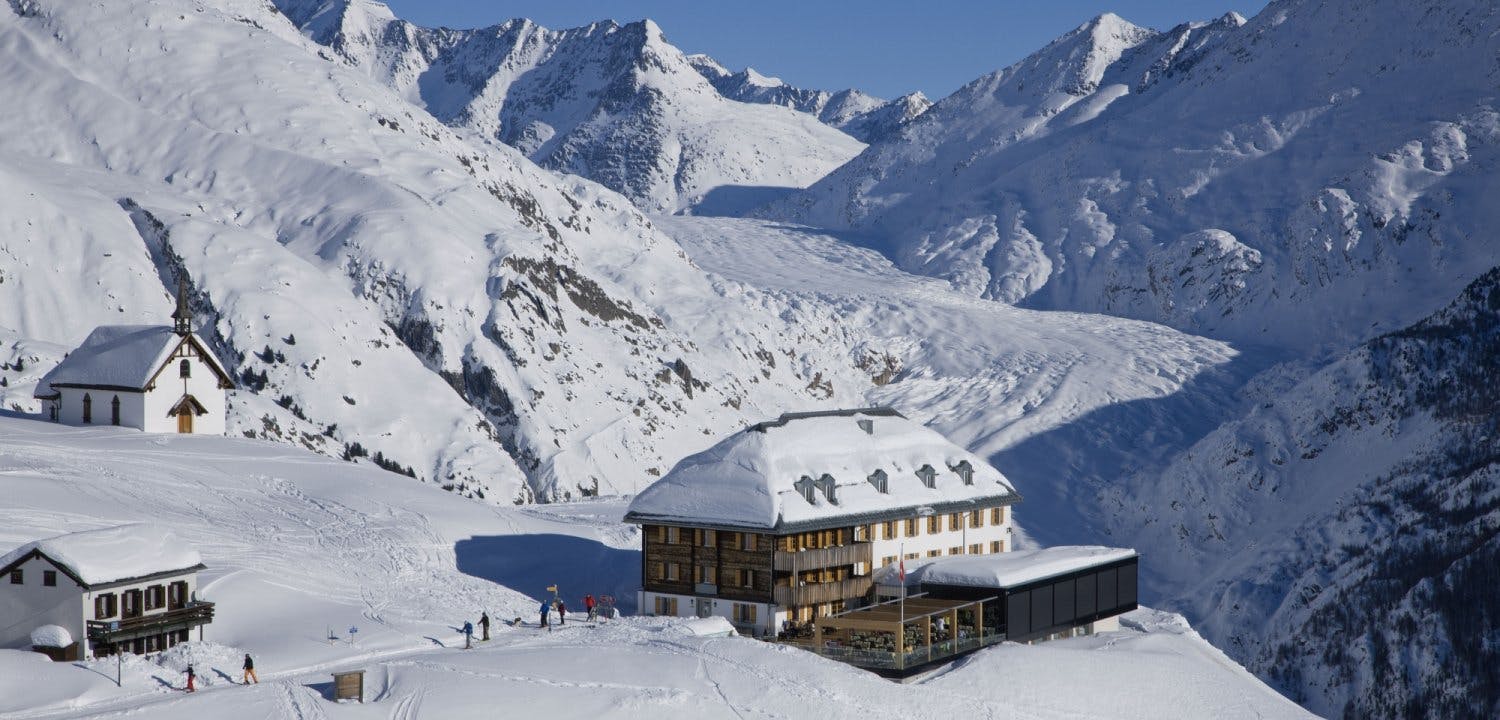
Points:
(1220, 178)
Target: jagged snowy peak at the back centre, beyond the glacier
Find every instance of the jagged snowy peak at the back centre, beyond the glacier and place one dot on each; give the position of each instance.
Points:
(616, 104)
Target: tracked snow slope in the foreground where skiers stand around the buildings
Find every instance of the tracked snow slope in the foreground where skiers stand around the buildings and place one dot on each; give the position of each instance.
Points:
(298, 545)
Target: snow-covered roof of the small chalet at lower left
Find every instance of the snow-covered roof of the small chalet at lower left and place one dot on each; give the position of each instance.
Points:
(98, 557)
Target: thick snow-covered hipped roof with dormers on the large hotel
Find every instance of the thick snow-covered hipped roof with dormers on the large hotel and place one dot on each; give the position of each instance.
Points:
(752, 479)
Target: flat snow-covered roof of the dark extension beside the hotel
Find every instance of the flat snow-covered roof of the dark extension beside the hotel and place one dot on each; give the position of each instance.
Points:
(1007, 569)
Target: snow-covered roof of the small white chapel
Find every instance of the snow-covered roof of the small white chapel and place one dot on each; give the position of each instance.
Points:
(119, 358)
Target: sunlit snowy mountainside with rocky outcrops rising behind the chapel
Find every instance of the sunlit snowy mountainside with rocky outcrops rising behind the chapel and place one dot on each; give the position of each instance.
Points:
(382, 287)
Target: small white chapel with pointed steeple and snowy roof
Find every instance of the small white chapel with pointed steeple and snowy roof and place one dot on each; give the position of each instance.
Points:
(158, 379)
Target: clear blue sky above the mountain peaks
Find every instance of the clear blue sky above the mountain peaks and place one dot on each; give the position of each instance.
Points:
(884, 47)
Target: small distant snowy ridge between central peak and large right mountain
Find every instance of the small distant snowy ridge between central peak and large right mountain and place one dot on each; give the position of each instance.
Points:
(862, 116)
